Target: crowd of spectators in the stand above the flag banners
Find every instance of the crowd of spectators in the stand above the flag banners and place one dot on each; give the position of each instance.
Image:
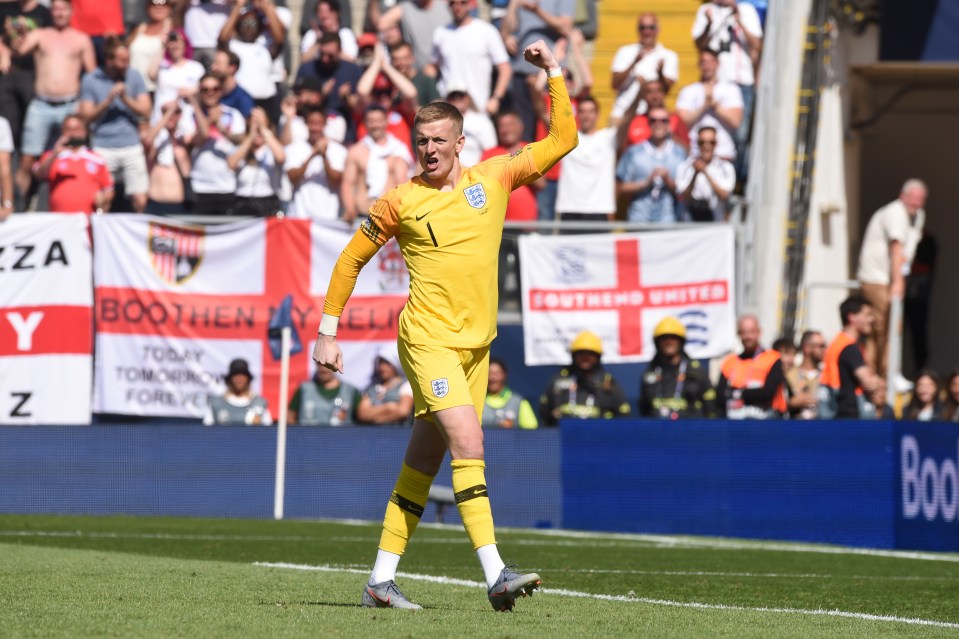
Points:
(196, 106)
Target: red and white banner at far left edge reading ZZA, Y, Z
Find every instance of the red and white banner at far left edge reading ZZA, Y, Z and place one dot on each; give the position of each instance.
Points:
(46, 319)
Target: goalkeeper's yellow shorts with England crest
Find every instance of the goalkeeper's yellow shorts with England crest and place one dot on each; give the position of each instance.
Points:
(444, 377)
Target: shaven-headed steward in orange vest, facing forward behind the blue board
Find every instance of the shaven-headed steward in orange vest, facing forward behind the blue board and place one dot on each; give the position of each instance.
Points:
(751, 384)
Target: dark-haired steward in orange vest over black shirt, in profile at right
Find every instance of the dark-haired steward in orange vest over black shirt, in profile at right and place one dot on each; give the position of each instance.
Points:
(848, 387)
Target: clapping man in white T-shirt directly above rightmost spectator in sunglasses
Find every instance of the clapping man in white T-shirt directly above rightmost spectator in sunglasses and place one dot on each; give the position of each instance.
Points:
(711, 102)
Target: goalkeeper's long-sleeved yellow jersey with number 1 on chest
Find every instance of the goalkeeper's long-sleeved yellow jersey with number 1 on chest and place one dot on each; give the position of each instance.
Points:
(450, 239)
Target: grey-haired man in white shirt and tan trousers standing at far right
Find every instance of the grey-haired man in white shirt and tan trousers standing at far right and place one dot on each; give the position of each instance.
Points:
(888, 246)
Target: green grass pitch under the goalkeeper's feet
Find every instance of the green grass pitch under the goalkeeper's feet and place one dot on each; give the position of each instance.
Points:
(164, 577)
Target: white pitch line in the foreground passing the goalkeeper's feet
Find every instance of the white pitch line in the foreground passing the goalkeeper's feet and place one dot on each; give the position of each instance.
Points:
(645, 600)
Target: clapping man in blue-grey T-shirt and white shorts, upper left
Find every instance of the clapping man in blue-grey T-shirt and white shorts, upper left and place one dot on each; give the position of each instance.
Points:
(113, 99)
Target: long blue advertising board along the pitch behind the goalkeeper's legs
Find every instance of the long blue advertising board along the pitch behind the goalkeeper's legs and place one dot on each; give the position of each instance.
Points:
(875, 484)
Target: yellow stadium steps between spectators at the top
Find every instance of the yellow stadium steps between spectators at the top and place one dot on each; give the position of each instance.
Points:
(617, 27)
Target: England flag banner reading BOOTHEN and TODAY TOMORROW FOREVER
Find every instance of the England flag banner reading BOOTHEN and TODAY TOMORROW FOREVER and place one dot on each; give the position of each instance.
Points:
(175, 303)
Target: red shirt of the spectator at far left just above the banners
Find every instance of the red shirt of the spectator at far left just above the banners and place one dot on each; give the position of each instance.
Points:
(75, 179)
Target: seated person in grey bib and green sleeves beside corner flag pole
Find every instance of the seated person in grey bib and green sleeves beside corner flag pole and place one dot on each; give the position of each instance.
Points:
(324, 400)
